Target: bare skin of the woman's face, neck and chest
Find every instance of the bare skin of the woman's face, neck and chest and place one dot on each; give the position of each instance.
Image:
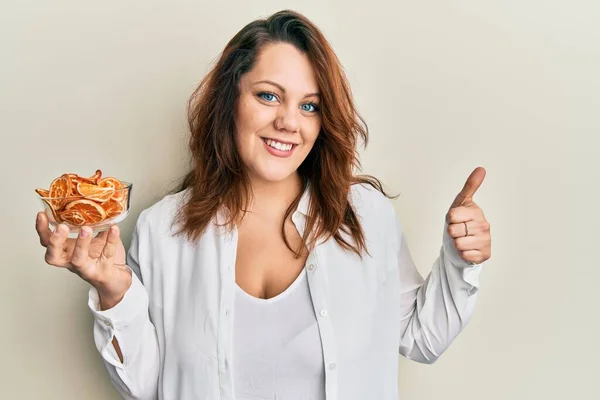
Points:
(284, 108)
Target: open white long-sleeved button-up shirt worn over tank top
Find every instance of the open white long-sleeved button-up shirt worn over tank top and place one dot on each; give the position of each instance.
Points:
(174, 324)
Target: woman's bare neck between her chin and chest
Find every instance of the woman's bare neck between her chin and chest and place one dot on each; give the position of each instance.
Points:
(271, 199)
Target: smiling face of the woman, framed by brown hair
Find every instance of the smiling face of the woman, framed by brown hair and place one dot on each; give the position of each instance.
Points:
(277, 113)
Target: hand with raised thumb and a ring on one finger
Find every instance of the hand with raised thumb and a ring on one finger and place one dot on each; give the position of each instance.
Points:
(467, 224)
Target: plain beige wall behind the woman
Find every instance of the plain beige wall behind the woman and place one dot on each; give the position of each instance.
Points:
(445, 86)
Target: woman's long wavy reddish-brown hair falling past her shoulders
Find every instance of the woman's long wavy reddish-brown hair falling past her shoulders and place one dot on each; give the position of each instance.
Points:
(218, 180)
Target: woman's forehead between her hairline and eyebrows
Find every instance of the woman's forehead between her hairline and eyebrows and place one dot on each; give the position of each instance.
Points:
(286, 65)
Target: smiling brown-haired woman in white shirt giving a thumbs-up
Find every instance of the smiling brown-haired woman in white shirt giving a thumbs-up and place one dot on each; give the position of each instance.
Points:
(275, 272)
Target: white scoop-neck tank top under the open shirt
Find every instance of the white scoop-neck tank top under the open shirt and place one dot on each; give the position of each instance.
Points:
(277, 350)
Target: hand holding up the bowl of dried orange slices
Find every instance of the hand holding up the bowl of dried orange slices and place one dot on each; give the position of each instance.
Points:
(99, 260)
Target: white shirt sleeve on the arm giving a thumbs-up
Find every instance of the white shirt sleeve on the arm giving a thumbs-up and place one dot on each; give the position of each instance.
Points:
(436, 309)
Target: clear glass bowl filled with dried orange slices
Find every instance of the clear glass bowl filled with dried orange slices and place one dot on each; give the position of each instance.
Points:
(98, 210)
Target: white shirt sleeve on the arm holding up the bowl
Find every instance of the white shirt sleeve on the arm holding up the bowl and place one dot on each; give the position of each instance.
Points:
(129, 321)
